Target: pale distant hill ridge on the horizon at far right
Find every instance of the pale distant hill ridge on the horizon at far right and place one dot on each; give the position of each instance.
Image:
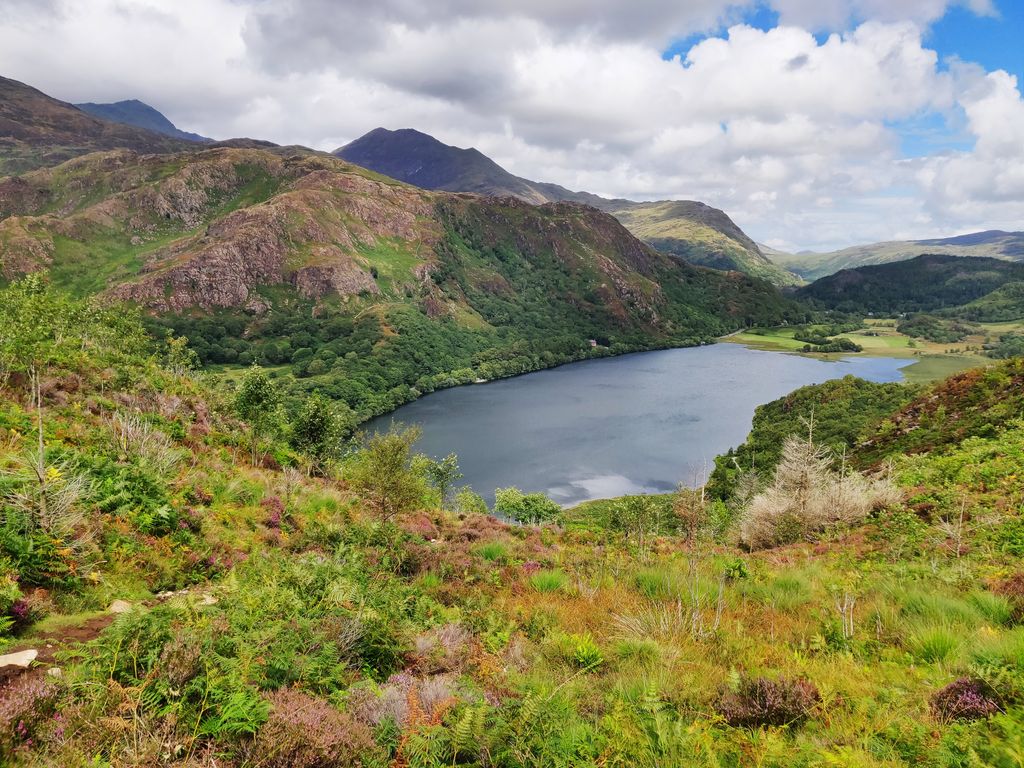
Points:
(994, 244)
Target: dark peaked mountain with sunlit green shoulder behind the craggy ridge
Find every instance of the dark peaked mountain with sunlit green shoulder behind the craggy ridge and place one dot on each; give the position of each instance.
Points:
(690, 230)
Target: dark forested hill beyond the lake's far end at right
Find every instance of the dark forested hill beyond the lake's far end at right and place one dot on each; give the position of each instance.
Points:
(927, 283)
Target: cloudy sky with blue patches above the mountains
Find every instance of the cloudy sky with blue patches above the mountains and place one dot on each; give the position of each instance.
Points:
(816, 124)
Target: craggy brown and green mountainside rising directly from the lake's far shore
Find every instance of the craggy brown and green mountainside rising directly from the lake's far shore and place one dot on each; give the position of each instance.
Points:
(368, 289)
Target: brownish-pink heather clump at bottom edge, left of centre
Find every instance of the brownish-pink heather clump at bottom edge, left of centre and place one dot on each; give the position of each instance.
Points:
(307, 733)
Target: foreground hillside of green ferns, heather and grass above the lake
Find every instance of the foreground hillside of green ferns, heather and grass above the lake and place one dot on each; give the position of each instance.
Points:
(292, 600)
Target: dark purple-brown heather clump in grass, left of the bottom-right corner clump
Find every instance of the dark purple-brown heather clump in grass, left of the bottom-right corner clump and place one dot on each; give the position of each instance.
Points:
(761, 702)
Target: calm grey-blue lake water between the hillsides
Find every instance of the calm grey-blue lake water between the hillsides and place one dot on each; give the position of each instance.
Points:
(638, 423)
